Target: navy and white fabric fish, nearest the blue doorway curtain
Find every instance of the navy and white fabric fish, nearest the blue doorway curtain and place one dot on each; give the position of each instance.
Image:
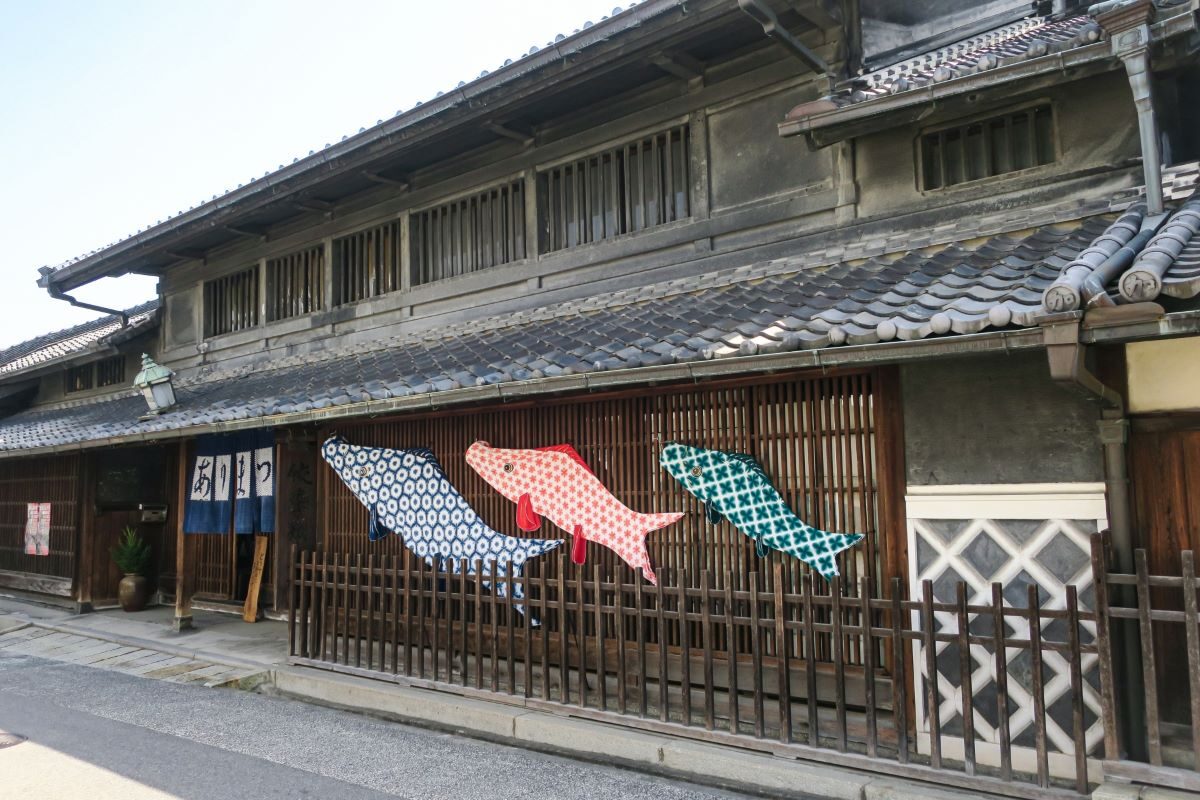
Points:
(409, 494)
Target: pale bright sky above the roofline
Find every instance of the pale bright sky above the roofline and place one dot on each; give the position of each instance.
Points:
(117, 115)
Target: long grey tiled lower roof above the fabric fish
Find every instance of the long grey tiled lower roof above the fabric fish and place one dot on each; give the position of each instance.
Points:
(908, 286)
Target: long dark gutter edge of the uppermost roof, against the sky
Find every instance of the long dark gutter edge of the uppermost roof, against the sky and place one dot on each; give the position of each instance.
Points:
(369, 143)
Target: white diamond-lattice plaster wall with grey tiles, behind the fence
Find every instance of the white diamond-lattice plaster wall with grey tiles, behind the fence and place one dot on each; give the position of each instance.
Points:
(1017, 536)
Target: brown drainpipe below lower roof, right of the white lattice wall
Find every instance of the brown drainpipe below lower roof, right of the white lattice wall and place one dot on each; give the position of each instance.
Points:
(1069, 368)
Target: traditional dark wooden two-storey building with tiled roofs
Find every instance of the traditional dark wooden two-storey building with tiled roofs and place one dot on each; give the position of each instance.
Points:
(933, 267)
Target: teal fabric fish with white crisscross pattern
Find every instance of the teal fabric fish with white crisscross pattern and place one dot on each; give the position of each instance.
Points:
(735, 486)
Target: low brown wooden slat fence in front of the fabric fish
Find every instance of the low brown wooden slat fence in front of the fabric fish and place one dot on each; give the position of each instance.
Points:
(470, 628)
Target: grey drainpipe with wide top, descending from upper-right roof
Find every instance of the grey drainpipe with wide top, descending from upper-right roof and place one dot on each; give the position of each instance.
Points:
(1127, 23)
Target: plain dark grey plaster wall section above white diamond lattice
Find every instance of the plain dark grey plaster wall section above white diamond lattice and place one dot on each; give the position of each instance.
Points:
(997, 420)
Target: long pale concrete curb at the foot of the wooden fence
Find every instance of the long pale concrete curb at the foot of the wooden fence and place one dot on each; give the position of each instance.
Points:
(598, 742)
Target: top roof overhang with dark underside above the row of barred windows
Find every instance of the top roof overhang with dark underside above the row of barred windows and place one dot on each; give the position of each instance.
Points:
(645, 35)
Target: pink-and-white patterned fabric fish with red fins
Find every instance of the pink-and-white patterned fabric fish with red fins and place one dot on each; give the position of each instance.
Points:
(556, 483)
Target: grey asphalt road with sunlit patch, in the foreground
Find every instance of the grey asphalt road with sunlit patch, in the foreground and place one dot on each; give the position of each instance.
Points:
(100, 735)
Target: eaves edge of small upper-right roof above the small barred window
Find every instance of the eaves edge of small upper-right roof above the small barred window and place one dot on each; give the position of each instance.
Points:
(837, 125)
